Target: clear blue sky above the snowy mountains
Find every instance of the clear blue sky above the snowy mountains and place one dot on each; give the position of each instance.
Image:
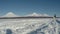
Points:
(23, 7)
